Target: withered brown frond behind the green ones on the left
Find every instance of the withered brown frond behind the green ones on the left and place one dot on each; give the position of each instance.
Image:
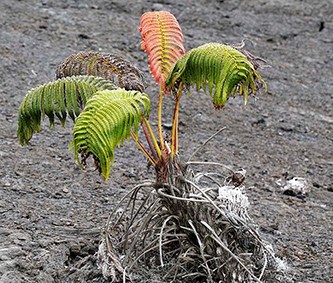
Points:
(105, 65)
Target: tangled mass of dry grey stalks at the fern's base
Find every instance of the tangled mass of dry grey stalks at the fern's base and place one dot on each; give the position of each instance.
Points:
(196, 227)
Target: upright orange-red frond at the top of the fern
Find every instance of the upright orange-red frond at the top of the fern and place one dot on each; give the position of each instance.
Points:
(162, 39)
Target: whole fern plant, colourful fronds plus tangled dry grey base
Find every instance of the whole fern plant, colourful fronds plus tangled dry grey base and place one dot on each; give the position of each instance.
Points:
(104, 95)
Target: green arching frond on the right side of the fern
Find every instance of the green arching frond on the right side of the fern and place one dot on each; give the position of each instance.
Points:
(224, 69)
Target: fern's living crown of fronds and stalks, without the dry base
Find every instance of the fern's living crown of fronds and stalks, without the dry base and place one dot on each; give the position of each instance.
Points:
(81, 76)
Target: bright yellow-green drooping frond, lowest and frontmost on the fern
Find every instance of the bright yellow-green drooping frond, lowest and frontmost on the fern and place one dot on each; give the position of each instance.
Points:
(107, 120)
